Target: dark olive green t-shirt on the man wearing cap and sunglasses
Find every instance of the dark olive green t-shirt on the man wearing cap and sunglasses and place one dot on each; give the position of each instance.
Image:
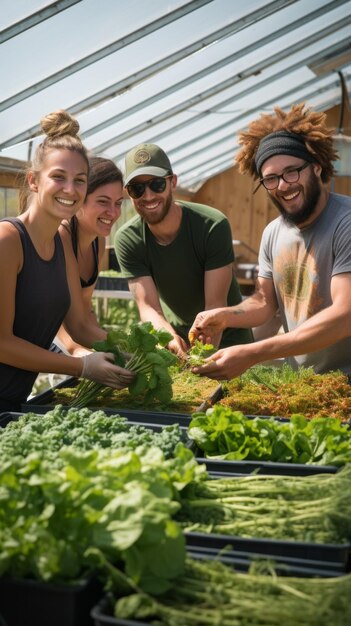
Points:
(203, 242)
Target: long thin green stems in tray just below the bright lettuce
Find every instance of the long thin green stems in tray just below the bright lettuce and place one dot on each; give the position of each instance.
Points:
(298, 508)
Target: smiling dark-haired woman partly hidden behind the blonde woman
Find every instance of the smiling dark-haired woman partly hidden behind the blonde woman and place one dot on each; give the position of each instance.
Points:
(84, 236)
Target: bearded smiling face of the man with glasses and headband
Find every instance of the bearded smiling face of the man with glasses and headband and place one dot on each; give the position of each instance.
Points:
(300, 202)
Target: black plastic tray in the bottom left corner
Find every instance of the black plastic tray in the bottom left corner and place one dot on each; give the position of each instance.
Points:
(31, 603)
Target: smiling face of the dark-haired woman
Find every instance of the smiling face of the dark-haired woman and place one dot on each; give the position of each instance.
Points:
(101, 209)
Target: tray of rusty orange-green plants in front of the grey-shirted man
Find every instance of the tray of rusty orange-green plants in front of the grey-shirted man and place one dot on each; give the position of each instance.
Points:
(283, 392)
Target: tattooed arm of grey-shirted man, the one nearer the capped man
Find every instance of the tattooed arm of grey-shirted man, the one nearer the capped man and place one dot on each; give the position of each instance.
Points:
(254, 311)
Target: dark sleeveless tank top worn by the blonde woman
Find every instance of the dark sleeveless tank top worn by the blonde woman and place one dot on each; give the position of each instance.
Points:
(42, 301)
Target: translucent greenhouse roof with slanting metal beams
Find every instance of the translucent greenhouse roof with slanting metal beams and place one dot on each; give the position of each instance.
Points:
(187, 75)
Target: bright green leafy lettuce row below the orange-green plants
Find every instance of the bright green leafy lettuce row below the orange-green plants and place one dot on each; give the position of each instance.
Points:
(222, 433)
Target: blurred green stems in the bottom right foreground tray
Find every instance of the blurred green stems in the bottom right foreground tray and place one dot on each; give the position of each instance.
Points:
(211, 593)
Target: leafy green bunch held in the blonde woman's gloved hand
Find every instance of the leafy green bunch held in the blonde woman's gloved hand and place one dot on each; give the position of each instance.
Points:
(141, 351)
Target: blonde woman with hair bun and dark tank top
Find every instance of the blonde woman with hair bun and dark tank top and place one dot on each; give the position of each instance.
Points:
(39, 283)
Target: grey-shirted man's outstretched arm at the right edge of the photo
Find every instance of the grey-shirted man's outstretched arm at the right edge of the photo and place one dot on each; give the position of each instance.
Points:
(320, 331)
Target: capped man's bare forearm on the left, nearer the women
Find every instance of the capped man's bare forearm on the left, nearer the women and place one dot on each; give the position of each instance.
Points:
(146, 297)
